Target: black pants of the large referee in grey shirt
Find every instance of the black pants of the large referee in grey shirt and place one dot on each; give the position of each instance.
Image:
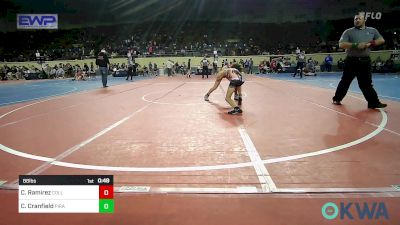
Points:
(359, 67)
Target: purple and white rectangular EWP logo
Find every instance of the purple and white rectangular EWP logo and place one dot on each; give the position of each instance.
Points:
(37, 21)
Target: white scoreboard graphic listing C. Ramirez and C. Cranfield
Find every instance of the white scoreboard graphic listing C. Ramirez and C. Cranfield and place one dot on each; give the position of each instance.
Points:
(66, 194)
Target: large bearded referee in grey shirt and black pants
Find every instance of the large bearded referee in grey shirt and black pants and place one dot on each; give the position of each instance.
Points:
(357, 41)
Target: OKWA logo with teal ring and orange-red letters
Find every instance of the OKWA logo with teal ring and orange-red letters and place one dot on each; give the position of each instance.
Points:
(351, 211)
